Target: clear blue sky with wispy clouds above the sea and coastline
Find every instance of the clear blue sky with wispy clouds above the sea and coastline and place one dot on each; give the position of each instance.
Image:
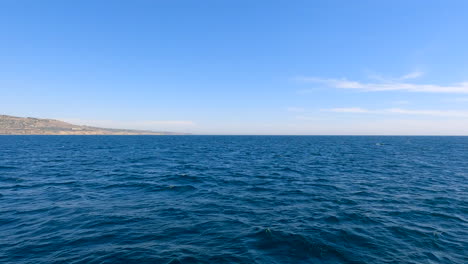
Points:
(290, 67)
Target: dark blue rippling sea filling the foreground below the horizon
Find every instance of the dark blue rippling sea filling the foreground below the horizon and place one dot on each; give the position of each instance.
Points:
(227, 199)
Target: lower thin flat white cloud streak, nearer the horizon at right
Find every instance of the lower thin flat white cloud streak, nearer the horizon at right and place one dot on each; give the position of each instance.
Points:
(439, 113)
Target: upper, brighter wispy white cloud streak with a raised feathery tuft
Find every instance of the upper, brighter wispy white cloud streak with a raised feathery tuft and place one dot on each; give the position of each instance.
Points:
(399, 84)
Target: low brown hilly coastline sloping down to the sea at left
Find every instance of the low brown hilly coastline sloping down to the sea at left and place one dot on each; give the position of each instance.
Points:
(12, 125)
